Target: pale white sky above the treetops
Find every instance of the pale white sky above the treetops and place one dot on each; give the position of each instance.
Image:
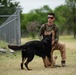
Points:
(28, 5)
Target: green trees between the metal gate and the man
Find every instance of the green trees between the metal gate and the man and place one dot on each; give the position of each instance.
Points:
(36, 15)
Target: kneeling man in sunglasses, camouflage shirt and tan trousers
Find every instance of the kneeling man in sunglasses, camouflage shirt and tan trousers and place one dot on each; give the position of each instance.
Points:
(56, 45)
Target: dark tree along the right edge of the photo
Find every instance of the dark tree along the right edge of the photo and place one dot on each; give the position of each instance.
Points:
(71, 4)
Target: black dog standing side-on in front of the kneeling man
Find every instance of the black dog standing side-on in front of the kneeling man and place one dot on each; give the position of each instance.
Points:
(41, 48)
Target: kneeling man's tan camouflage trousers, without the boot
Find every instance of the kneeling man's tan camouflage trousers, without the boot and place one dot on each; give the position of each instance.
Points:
(61, 47)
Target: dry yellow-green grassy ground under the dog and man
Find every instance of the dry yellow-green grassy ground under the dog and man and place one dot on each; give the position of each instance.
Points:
(10, 64)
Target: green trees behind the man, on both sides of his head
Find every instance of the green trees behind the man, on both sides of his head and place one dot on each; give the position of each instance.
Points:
(65, 17)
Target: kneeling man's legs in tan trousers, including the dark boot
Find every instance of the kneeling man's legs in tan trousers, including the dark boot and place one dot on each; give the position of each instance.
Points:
(61, 48)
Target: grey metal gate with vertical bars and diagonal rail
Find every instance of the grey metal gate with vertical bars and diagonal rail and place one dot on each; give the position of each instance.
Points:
(10, 29)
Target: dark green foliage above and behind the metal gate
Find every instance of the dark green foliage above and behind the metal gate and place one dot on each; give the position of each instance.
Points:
(8, 9)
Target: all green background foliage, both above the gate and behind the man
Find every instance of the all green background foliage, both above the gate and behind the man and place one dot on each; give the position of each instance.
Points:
(65, 17)
